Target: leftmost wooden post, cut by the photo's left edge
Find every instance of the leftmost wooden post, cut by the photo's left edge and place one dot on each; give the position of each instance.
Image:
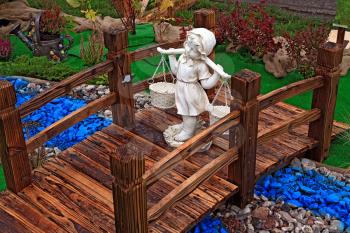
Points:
(13, 150)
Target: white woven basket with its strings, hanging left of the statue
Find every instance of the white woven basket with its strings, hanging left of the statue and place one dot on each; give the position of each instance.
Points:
(162, 93)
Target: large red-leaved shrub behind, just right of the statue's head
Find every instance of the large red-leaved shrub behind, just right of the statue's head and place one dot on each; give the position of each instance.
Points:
(249, 27)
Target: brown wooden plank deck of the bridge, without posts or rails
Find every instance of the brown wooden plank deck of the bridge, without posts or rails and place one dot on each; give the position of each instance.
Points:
(72, 193)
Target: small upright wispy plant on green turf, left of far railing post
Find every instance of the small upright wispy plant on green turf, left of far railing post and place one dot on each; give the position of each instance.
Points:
(92, 52)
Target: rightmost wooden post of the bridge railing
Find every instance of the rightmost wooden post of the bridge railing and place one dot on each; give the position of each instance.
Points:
(324, 98)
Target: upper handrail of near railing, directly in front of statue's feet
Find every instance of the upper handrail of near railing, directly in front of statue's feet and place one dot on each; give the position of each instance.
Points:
(190, 147)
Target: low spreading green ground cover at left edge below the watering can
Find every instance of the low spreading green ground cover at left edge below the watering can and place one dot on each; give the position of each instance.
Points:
(36, 67)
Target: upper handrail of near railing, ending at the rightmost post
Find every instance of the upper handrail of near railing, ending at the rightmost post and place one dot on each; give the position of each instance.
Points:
(289, 91)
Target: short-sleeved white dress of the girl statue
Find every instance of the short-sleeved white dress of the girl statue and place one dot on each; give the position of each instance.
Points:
(190, 97)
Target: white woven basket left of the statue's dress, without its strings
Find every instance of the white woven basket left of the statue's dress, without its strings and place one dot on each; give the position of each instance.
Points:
(162, 95)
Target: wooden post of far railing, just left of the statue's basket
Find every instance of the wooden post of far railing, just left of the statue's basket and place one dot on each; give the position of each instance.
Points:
(120, 78)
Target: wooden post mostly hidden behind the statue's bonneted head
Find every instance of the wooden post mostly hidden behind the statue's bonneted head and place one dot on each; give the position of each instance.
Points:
(205, 18)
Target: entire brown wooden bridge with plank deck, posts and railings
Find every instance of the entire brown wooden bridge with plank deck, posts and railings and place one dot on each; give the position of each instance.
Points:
(126, 179)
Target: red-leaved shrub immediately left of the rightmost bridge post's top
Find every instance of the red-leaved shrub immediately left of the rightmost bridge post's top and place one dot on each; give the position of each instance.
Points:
(303, 47)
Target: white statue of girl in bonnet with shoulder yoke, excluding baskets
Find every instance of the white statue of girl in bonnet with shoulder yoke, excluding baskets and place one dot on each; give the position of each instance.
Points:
(192, 71)
